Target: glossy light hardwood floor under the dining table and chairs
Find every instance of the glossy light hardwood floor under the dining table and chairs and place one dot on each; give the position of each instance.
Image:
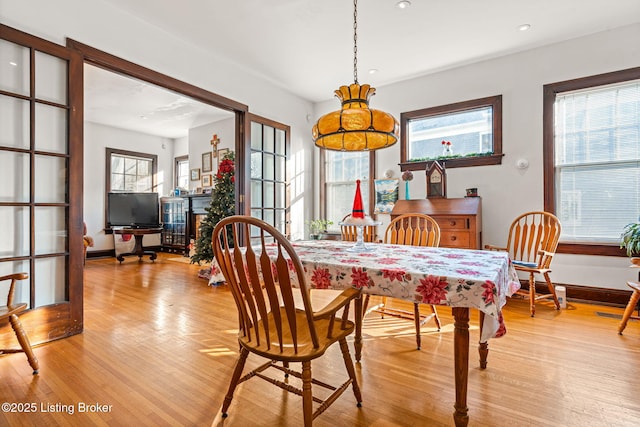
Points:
(159, 345)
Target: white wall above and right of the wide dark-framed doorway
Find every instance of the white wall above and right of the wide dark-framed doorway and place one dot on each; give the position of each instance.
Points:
(104, 27)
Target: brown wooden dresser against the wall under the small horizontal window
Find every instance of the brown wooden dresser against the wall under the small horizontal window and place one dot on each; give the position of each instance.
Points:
(460, 220)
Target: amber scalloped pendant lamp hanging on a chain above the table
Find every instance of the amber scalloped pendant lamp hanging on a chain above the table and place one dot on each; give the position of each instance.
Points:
(355, 127)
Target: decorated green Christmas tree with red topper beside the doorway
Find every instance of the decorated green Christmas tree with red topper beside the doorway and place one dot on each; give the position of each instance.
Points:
(222, 205)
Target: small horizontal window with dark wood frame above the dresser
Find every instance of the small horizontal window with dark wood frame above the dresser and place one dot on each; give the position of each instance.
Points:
(472, 131)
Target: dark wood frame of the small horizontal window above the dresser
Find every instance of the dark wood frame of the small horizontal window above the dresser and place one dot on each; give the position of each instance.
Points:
(495, 102)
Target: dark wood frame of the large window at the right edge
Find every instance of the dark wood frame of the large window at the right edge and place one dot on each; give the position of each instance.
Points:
(550, 91)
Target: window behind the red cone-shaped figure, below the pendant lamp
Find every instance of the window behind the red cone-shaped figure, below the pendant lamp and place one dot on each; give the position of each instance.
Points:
(340, 170)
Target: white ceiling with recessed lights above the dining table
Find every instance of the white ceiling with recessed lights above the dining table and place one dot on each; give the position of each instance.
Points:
(306, 46)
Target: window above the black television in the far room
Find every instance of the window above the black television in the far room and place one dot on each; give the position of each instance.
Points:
(129, 171)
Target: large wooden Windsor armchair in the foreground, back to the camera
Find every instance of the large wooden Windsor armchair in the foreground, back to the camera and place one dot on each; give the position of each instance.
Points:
(270, 325)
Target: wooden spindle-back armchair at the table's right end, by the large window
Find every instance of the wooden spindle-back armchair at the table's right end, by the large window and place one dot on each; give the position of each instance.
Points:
(532, 243)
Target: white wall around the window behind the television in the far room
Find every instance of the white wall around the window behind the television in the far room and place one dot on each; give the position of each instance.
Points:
(97, 138)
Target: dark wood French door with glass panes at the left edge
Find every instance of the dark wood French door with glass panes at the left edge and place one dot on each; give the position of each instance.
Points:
(41, 175)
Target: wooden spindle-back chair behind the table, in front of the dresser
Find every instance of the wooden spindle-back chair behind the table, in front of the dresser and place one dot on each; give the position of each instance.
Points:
(414, 230)
